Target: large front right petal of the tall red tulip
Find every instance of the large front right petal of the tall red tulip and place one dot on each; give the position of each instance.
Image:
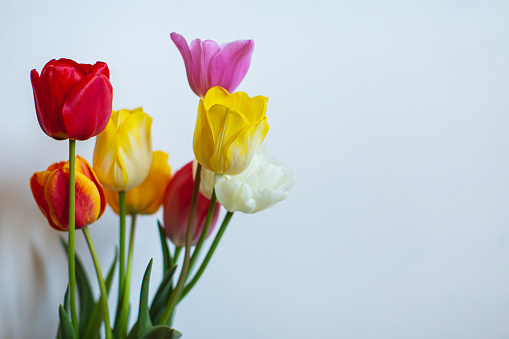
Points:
(87, 109)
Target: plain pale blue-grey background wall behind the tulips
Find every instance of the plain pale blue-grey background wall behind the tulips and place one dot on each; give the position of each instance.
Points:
(392, 114)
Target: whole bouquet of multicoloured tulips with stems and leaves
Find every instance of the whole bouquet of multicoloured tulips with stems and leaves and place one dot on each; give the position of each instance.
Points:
(74, 102)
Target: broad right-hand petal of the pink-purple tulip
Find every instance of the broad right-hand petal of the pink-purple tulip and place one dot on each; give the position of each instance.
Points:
(231, 64)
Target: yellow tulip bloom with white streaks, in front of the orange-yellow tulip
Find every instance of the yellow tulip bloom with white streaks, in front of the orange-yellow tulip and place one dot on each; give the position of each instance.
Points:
(123, 151)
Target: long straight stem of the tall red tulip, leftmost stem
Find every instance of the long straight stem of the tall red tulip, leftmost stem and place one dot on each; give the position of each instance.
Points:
(72, 270)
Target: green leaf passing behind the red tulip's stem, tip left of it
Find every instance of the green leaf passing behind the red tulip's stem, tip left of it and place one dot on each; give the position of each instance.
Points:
(86, 296)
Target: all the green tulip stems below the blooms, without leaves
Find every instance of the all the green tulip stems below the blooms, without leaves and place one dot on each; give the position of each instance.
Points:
(180, 290)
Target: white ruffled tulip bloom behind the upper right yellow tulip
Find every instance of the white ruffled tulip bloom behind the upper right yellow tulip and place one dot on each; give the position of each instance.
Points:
(264, 183)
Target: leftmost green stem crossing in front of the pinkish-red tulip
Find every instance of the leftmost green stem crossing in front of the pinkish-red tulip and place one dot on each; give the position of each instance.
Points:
(175, 295)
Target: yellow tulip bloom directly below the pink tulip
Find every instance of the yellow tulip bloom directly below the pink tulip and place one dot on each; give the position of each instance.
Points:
(229, 130)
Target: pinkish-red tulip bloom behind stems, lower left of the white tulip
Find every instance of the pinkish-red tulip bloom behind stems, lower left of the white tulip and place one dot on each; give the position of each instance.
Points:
(177, 204)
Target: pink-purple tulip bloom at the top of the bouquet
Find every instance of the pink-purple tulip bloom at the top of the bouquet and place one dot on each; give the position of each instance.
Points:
(209, 64)
